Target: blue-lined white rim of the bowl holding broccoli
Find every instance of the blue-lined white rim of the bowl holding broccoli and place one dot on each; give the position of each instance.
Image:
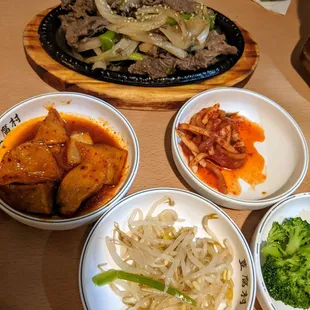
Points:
(261, 287)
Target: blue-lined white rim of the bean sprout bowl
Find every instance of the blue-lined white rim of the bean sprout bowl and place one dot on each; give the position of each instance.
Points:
(238, 231)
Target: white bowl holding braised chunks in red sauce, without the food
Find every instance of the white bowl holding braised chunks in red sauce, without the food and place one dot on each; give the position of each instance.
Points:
(87, 106)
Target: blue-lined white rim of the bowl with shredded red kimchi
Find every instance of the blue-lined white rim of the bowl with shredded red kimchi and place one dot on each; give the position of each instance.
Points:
(217, 194)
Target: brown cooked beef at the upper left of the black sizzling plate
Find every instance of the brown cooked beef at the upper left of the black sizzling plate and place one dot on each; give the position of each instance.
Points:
(77, 29)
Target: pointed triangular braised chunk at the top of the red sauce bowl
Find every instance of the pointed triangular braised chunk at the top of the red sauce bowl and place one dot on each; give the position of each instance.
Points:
(52, 130)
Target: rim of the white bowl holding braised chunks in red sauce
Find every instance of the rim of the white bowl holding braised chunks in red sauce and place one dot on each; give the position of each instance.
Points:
(110, 203)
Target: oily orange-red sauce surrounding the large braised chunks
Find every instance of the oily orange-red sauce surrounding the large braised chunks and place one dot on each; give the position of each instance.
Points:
(26, 131)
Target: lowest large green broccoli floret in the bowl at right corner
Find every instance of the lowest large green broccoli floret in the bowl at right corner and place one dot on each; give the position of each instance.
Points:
(285, 284)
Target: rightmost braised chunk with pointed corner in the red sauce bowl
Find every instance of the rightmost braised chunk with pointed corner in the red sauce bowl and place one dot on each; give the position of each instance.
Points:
(106, 158)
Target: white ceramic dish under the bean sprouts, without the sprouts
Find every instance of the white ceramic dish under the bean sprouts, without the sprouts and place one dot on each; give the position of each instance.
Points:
(190, 207)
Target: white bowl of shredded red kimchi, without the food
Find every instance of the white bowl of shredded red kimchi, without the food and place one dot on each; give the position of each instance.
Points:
(284, 149)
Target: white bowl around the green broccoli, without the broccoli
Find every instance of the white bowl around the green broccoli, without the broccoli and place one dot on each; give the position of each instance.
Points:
(294, 206)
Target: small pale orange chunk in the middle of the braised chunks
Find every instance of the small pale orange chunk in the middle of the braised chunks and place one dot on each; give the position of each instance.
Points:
(73, 154)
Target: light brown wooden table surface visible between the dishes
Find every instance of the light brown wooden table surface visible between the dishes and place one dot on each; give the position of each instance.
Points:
(39, 269)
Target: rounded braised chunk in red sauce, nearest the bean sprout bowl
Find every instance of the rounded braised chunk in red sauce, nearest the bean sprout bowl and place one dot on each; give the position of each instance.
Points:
(79, 184)
